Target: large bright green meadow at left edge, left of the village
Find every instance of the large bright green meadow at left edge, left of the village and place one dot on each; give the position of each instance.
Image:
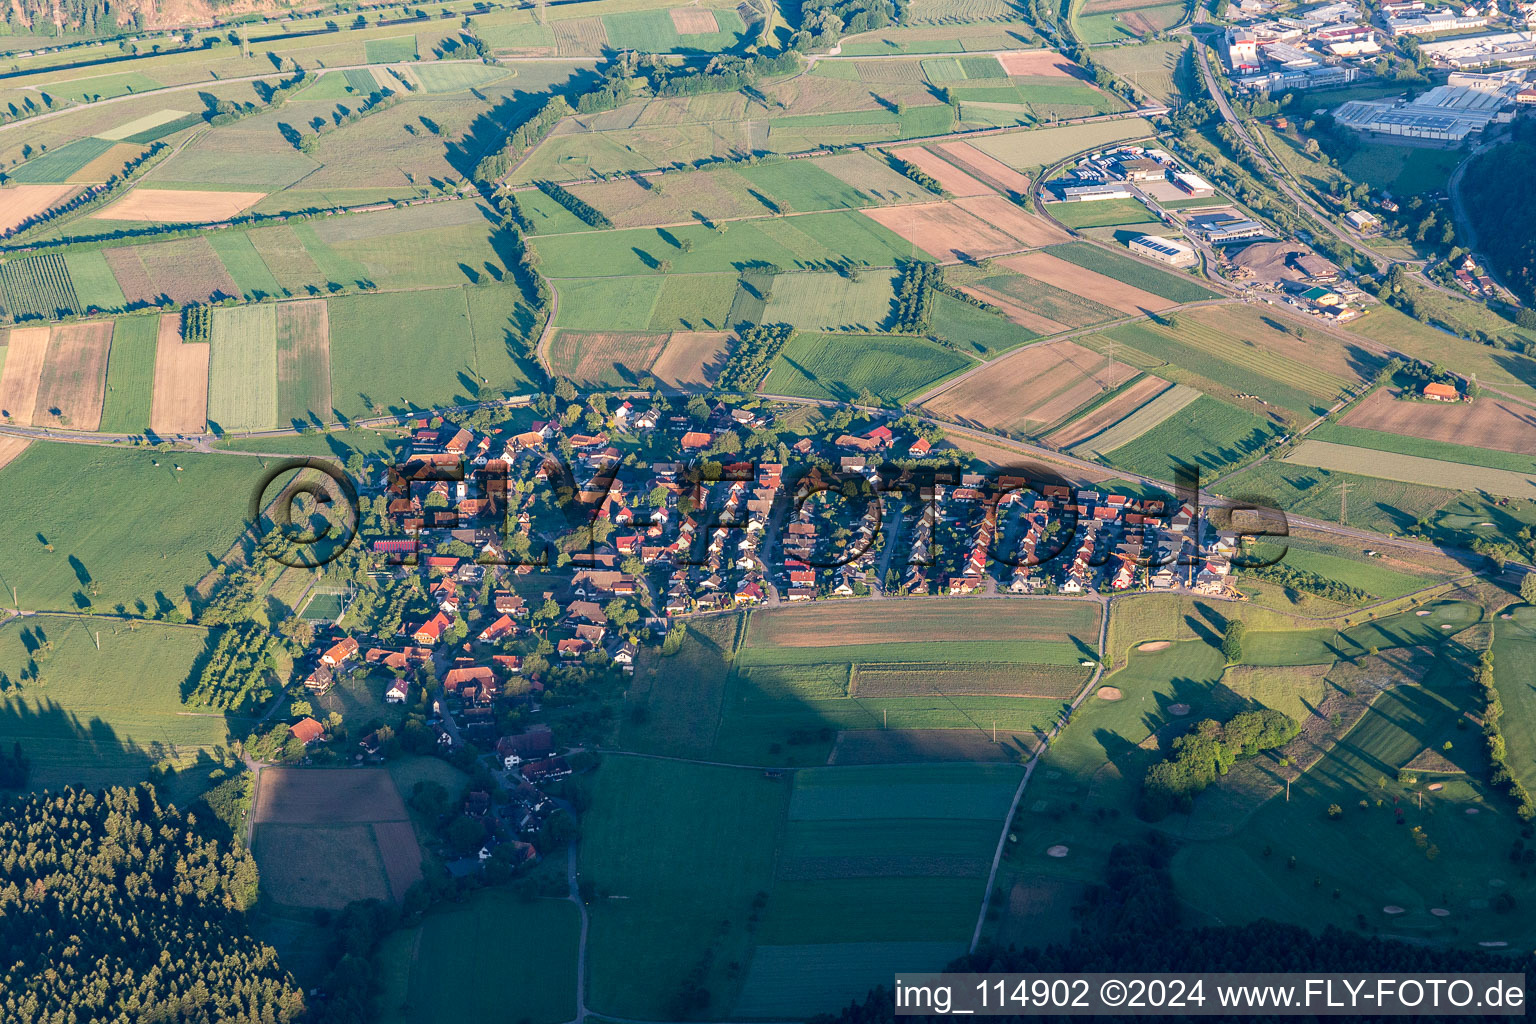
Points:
(116, 555)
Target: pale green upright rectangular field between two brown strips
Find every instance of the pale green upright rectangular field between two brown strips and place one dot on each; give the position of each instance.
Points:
(243, 369)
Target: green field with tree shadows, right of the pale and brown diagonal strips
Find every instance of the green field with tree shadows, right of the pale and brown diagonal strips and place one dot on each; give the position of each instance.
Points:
(1207, 434)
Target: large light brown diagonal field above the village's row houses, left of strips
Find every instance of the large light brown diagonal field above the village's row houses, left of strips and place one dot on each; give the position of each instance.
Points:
(1030, 389)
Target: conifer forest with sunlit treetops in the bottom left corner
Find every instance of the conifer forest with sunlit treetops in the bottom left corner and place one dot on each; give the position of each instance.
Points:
(118, 908)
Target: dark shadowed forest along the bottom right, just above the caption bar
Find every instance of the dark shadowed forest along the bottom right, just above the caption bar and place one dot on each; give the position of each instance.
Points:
(1131, 923)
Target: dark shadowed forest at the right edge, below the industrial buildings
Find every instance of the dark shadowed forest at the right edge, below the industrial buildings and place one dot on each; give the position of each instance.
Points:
(1503, 214)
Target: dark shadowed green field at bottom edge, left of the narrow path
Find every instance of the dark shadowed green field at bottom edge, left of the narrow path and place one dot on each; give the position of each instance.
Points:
(460, 965)
